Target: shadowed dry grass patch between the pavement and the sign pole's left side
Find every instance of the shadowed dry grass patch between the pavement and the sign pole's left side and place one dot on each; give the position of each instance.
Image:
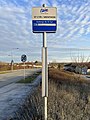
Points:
(32, 109)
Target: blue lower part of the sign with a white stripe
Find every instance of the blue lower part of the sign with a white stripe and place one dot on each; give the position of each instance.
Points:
(44, 25)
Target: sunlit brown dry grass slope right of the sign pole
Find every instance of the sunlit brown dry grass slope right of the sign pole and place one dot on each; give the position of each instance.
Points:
(69, 99)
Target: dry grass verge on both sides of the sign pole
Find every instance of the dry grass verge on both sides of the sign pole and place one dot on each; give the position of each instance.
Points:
(69, 99)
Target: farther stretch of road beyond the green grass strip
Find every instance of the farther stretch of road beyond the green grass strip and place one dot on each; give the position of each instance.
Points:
(12, 77)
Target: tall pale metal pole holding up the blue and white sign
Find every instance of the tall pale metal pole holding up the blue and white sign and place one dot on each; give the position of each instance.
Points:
(44, 75)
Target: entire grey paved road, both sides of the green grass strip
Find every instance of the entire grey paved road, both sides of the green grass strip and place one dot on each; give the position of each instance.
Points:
(12, 94)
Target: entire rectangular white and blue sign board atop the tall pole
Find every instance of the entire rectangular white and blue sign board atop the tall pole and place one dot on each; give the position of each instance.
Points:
(44, 19)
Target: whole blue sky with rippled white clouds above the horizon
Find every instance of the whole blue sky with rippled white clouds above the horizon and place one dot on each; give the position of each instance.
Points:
(71, 40)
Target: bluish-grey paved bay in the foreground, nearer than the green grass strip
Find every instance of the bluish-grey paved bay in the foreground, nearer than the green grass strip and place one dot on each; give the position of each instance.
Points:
(13, 96)
